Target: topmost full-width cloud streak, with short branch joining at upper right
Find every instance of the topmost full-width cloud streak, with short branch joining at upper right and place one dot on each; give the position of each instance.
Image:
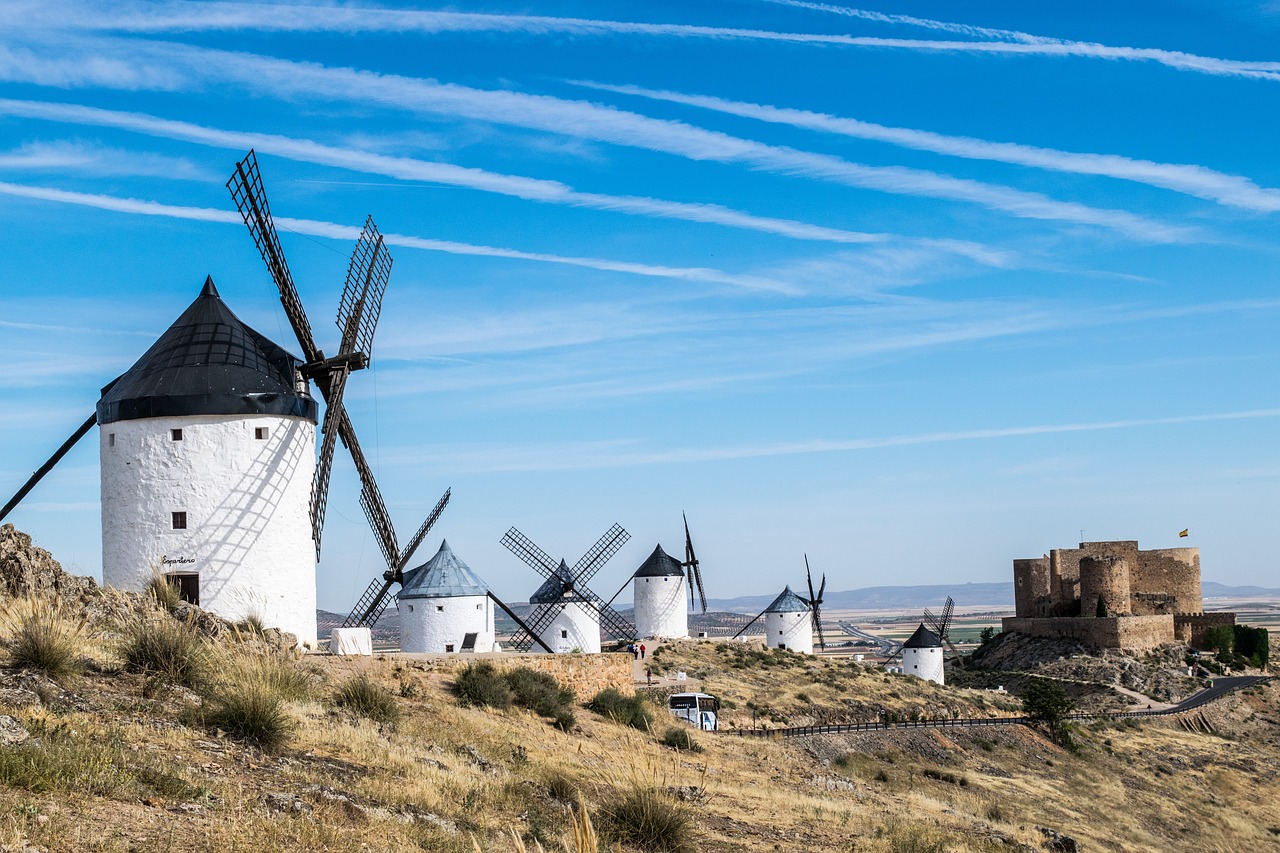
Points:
(186, 17)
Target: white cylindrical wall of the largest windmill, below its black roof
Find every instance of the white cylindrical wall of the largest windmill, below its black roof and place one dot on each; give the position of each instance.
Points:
(245, 486)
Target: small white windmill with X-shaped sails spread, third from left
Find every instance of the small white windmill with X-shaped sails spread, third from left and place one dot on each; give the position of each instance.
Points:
(564, 603)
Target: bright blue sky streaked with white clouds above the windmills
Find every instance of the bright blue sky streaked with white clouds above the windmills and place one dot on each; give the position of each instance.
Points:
(916, 289)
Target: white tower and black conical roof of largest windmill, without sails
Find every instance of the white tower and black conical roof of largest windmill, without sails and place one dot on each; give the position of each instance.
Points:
(208, 454)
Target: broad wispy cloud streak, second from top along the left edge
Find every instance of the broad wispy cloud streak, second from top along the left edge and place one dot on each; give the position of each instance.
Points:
(582, 120)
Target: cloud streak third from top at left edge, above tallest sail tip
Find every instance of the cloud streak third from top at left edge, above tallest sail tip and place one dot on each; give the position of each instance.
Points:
(450, 175)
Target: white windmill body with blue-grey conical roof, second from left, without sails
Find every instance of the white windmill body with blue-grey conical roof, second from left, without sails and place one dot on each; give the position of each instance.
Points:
(445, 608)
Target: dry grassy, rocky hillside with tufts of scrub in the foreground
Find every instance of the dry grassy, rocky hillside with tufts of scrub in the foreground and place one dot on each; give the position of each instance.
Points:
(107, 756)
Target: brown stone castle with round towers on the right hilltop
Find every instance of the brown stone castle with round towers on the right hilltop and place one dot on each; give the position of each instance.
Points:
(1112, 595)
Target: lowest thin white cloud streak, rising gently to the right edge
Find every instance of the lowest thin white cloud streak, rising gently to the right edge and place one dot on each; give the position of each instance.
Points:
(628, 454)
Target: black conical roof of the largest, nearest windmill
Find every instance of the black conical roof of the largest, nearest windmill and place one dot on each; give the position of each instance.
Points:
(208, 363)
